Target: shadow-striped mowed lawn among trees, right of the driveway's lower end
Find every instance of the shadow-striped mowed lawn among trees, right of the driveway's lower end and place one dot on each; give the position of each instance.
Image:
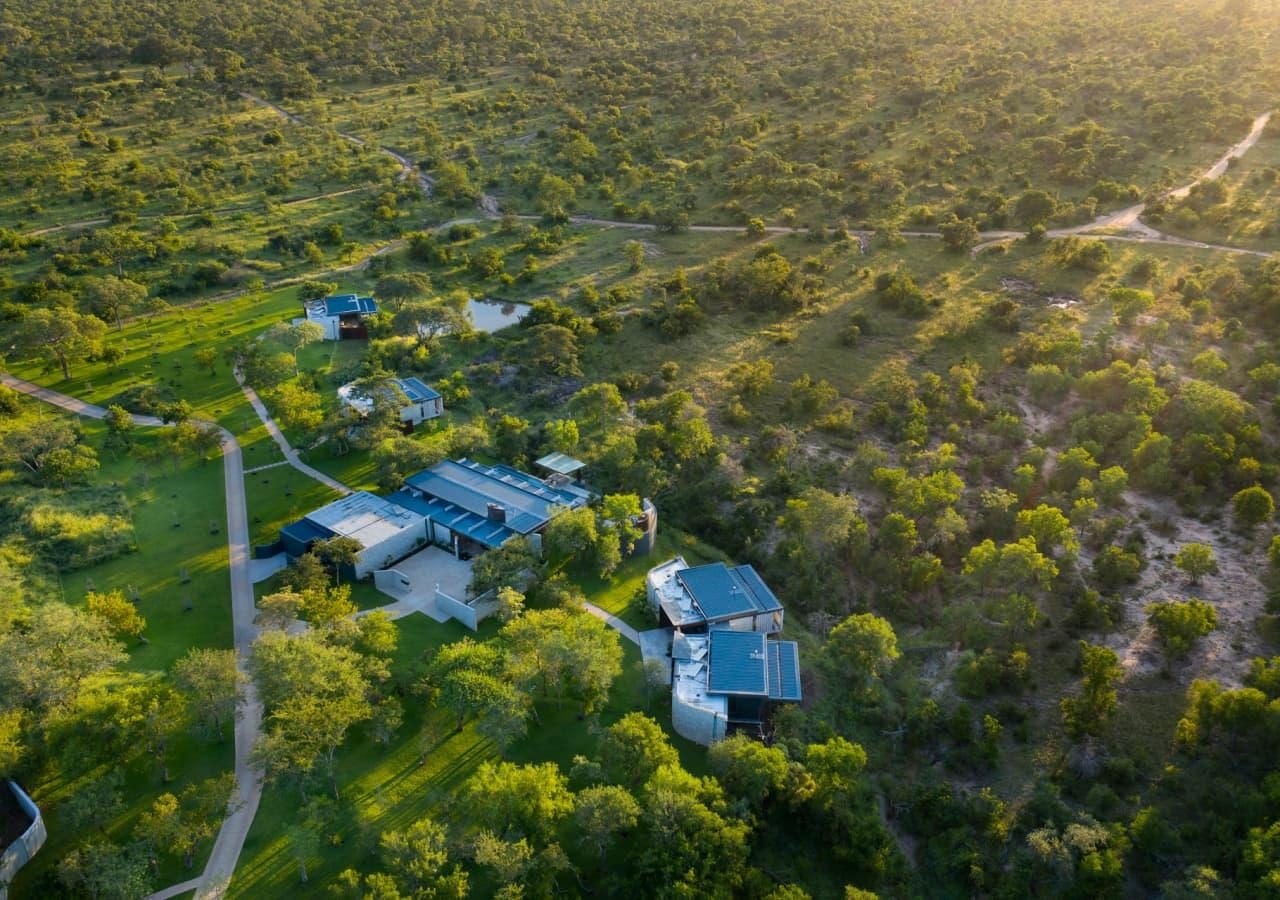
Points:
(390, 788)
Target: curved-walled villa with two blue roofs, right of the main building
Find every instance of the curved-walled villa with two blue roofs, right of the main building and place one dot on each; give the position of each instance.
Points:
(725, 670)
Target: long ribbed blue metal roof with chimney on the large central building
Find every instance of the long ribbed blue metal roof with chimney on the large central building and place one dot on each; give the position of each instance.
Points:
(473, 487)
